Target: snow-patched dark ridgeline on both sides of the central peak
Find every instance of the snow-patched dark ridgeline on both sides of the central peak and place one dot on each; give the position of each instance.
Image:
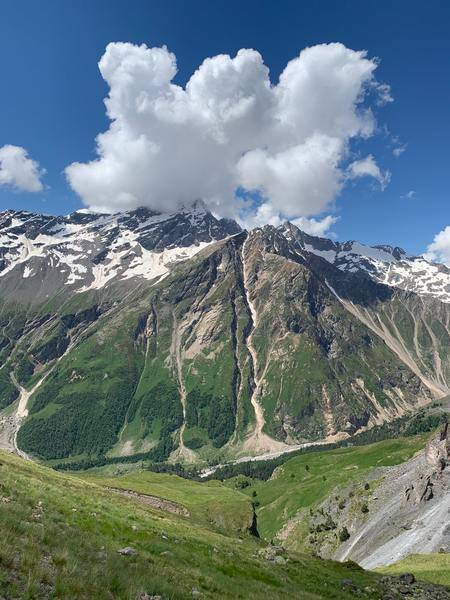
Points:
(96, 248)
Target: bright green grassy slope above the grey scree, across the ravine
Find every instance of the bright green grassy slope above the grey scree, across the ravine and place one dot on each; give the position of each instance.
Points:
(307, 479)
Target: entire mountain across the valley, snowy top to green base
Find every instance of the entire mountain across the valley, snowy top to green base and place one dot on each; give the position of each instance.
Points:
(180, 337)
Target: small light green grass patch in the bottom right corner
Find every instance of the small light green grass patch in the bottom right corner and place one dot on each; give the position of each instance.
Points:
(434, 568)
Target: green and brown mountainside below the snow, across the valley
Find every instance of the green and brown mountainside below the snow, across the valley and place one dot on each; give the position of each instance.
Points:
(118, 364)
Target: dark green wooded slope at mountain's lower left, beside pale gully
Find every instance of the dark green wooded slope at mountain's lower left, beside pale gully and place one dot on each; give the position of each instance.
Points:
(81, 406)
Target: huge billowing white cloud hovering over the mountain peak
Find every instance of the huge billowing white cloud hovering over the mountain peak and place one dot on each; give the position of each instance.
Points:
(229, 129)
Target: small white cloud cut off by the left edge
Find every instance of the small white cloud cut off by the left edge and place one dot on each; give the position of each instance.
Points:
(18, 170)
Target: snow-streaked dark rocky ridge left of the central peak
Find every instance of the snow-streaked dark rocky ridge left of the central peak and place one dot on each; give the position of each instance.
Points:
(86, 250)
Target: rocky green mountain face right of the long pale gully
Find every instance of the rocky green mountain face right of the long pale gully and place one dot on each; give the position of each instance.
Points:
(321, 365)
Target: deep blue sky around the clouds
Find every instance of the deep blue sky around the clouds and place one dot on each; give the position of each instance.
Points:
(52, 92)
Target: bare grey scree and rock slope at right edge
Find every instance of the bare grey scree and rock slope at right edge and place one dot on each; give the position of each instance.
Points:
(408, 511)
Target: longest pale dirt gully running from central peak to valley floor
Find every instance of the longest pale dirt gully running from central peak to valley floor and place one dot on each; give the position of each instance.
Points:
(258, 440)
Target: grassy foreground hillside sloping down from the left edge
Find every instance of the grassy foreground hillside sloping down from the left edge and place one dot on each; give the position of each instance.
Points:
(61, 535)
